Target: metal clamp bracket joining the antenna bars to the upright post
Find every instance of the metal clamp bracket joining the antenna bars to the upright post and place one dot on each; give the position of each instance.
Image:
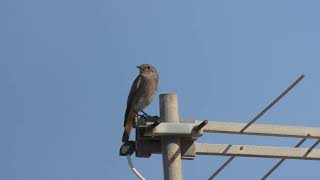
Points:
(149, 132)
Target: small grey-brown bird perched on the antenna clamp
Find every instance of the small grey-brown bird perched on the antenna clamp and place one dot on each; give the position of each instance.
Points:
(142, 92)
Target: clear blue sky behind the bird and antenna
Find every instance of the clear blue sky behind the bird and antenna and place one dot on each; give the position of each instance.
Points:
(66, 67)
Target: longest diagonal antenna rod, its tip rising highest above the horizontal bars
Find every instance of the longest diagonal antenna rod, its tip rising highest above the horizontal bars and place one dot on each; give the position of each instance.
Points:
(257, 117)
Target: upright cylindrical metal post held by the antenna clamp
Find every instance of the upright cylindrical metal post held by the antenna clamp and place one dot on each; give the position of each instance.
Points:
(170, 145)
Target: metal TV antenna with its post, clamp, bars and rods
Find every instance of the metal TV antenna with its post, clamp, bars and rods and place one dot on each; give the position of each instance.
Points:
(175, 139)
